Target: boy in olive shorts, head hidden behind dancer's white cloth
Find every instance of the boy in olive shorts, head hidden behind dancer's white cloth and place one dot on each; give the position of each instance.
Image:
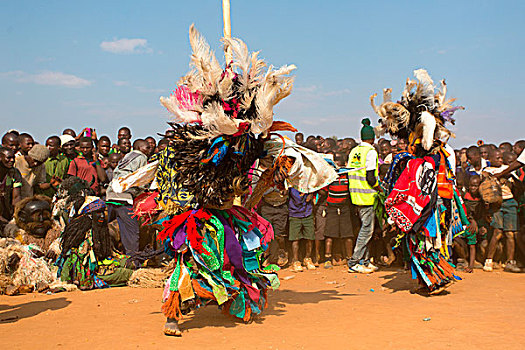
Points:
(301, 226)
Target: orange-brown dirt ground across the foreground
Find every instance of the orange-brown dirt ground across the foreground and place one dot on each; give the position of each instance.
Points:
(311, 310)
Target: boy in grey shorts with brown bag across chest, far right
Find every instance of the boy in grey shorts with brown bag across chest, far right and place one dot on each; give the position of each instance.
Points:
(505, 220)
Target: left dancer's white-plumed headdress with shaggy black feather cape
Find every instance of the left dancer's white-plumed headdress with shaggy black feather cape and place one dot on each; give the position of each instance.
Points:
(221, 119)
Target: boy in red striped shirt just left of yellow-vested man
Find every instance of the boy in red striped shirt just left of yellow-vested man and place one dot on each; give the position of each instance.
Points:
(338, 215)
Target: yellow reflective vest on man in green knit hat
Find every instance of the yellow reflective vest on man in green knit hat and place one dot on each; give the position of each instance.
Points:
(361, 192)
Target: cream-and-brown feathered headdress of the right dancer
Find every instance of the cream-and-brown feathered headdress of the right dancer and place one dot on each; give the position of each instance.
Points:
(421, 113)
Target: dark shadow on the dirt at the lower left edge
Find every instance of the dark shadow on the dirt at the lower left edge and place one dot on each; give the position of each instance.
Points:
(13, 313)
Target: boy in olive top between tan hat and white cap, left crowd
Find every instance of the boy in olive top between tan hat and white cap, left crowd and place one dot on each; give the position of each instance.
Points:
(56, 166)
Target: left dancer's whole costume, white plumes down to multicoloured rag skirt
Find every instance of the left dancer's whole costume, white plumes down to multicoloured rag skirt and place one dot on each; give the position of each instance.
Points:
(223, 124)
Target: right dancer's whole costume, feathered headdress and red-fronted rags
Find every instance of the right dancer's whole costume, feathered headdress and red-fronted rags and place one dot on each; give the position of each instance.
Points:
(422, 200)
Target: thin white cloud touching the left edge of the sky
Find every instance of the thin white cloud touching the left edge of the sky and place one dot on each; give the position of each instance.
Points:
(47, 78)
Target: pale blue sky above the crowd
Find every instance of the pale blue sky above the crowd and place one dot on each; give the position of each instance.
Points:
(105, 64)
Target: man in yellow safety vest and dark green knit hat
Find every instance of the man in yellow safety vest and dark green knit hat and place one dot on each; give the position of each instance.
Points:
(363, 184)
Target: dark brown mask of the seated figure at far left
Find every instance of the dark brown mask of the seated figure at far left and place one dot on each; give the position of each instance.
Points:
(36, 218)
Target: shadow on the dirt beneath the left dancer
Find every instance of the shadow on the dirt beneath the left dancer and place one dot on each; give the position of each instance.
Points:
(278, 300)
